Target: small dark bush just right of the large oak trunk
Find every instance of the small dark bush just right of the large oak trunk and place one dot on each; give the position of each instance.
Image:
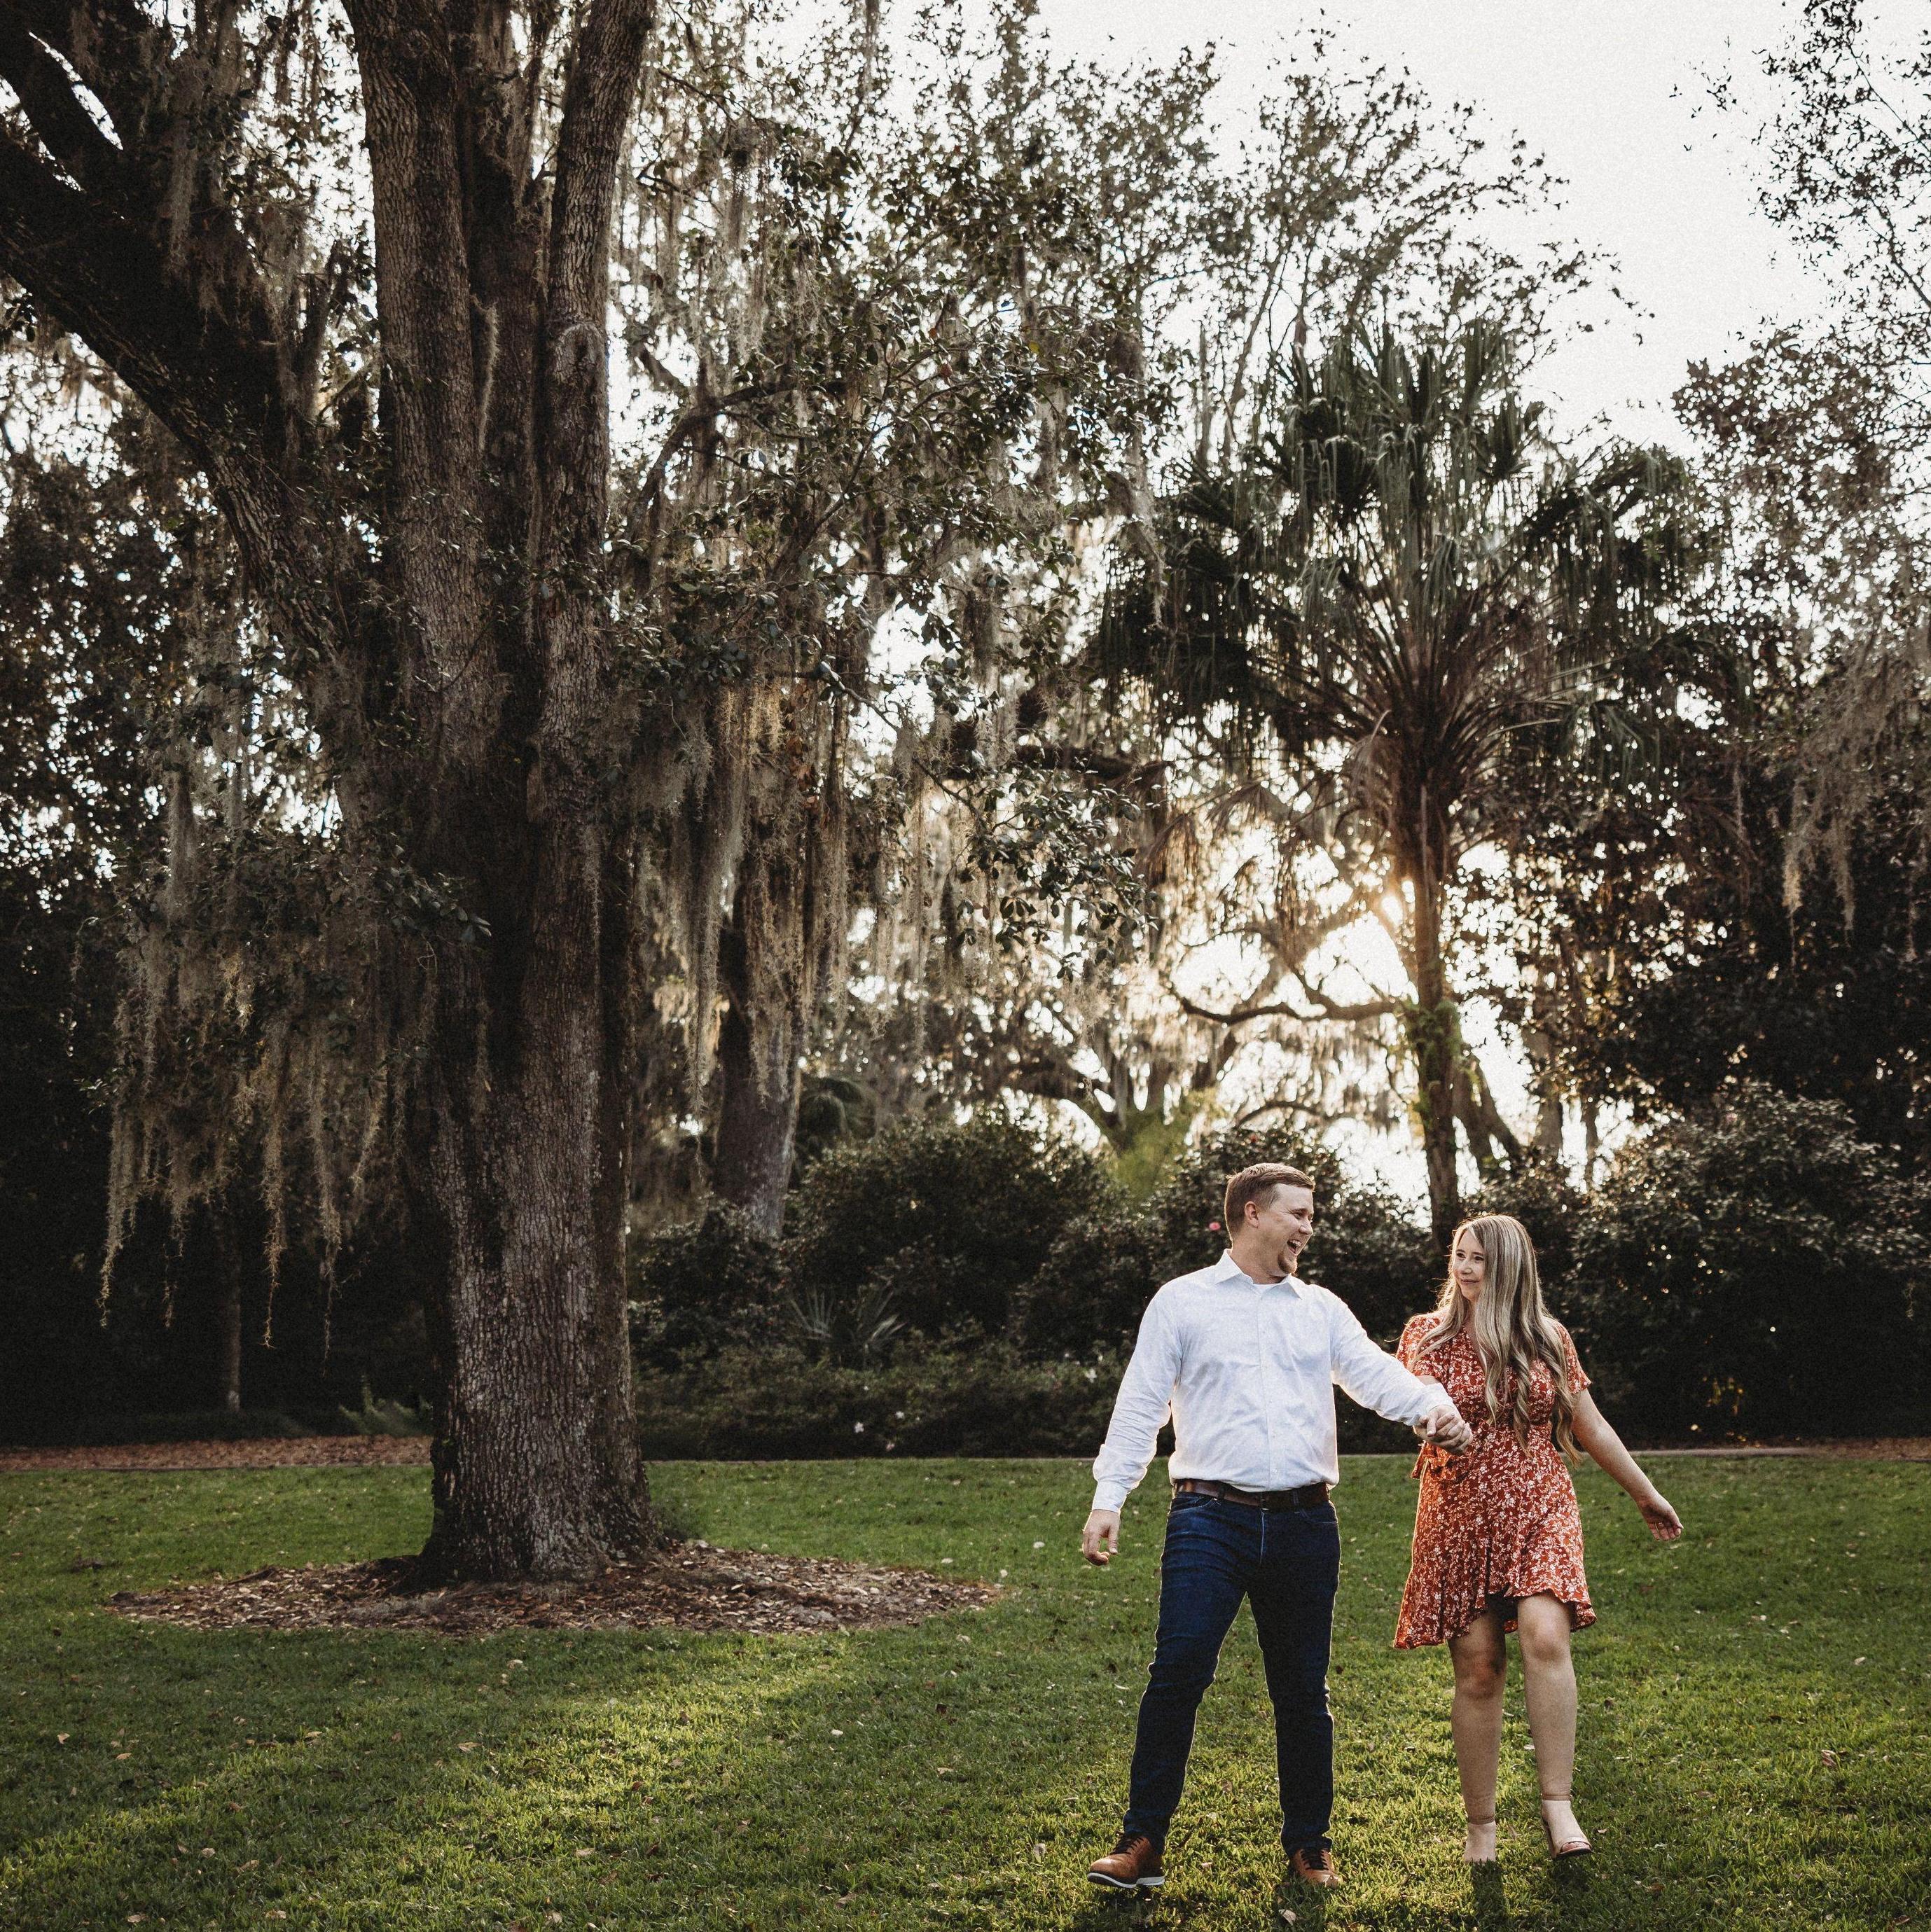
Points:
(703, 1286)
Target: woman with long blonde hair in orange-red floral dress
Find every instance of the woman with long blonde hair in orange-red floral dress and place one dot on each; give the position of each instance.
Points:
(1499, 1545)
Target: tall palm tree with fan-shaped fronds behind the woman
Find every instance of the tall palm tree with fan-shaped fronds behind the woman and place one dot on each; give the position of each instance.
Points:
(1398, 582)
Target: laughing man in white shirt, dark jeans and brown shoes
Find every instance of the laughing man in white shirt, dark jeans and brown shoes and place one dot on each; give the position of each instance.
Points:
(1246, 1357)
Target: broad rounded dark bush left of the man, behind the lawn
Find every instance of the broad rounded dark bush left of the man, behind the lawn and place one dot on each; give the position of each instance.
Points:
(954, 1220)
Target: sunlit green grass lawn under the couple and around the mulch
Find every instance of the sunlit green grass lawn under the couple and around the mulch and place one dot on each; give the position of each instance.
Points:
(1754, 1744)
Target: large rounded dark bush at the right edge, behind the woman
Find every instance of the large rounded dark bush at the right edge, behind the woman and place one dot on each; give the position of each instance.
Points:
(1754, 1268)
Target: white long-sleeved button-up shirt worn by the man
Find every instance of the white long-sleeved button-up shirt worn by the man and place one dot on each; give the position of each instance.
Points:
(1248, 1373)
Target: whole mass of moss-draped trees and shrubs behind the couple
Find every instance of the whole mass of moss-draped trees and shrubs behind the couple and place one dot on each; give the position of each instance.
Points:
(461, 822)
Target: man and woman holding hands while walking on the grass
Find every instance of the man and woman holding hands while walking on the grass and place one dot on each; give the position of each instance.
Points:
(1244, 1355)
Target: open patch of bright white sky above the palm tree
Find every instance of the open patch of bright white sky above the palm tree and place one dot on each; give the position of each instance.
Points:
(1615, 96)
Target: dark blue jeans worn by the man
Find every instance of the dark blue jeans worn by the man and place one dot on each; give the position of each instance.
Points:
(1286, 1564)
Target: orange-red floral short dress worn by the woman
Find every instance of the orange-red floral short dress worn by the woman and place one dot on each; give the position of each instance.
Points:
(1499, 1521)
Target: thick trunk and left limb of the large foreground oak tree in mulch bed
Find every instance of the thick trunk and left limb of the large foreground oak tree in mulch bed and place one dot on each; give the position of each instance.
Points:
(438, 581)
